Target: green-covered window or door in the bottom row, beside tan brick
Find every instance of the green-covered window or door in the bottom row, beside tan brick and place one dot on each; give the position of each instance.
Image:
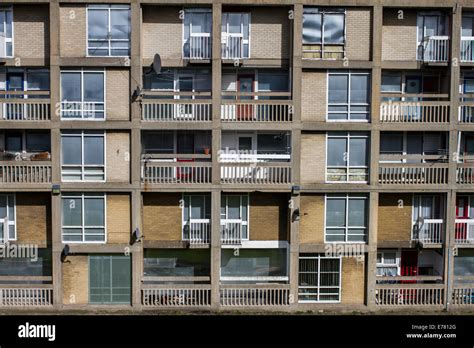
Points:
(109, 279)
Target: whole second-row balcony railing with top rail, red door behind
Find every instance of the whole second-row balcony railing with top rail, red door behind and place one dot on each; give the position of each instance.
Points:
(246, 108)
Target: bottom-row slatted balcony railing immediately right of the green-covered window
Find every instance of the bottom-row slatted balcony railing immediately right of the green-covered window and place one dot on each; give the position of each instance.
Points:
(176, 296)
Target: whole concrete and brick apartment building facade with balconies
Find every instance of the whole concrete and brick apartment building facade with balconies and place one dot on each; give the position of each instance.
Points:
(220, 155)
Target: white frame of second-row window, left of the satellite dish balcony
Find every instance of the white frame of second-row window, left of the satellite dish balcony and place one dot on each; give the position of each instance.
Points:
(83, 103)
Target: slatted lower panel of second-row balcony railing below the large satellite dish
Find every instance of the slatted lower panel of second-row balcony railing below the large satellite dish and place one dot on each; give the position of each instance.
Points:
(176, 110)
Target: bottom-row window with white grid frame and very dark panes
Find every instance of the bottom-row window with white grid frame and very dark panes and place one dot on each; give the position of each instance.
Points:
(319, 278)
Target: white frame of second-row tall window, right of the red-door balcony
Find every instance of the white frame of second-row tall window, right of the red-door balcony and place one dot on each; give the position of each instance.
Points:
(349, 73)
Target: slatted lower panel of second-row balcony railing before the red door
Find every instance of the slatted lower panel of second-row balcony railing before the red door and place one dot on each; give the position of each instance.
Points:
(257, 111)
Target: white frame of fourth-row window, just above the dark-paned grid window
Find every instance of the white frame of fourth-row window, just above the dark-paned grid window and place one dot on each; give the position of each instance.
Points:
(346, 228)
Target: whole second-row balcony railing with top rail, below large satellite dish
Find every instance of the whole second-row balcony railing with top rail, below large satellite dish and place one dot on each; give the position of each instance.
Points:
(164, 107)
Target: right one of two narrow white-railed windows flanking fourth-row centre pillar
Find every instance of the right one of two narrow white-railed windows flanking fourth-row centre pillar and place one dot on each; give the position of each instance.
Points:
(234, 217)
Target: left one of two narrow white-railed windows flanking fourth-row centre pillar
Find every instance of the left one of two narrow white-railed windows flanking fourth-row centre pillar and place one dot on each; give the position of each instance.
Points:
(196, 218)
